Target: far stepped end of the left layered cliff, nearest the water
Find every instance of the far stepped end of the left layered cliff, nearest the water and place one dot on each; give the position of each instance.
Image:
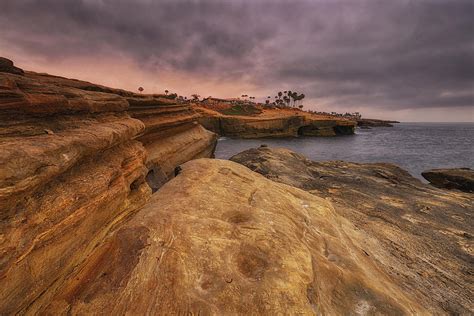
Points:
(172, 136)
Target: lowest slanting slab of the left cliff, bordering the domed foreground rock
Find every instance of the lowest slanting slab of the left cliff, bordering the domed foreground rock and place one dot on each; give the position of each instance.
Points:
(55, 227)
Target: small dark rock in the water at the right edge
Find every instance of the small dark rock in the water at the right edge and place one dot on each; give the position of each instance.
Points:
(459, 178)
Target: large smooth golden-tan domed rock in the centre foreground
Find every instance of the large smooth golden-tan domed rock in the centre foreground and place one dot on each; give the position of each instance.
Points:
(221, 239)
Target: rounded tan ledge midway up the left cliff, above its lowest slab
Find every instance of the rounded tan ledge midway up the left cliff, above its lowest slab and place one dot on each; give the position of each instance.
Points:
(30, 157)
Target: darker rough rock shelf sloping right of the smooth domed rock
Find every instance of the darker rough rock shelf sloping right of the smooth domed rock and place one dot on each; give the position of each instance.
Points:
(419, 236)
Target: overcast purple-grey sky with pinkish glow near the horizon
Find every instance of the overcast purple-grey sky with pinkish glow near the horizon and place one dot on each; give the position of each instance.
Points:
(390, 59)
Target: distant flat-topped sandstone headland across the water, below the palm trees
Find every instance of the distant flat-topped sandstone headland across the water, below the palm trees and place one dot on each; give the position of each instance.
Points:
(274, 123)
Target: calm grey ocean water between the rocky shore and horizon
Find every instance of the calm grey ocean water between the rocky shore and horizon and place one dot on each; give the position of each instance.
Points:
(415, 147)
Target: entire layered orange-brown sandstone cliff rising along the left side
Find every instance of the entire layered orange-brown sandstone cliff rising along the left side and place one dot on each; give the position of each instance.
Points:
(72, 168)
